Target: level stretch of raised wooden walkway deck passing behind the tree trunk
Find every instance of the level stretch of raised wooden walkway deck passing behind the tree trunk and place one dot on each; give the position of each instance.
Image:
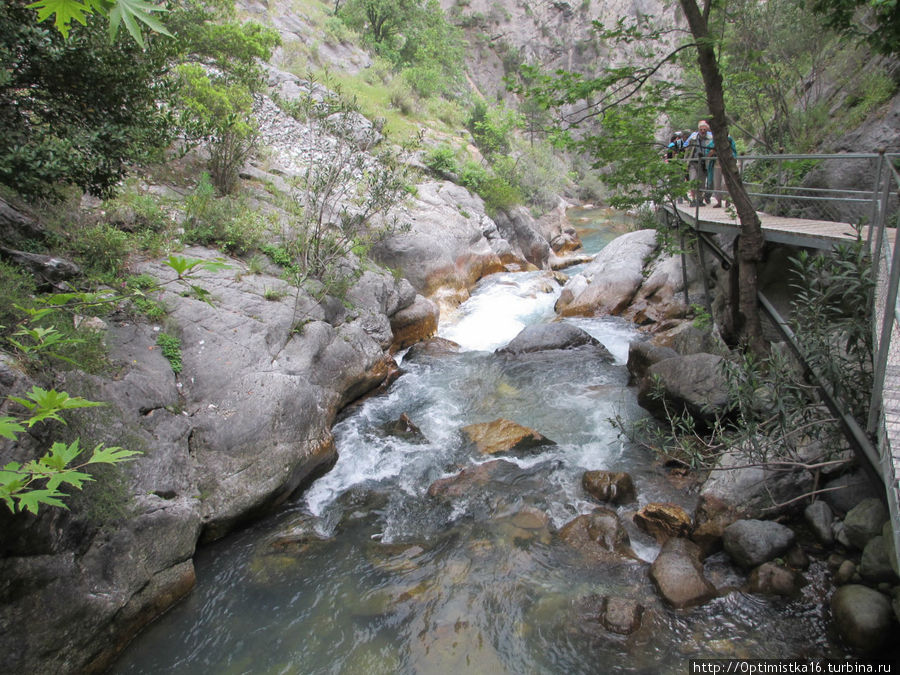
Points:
(819, 234)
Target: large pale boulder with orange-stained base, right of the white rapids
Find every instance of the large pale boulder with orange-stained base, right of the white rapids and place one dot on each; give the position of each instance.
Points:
(614, 276)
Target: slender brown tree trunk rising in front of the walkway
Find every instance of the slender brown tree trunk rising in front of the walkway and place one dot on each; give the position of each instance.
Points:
(750, 243)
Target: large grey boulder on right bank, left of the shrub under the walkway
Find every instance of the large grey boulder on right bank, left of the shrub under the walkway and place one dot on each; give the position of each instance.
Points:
(692, 383)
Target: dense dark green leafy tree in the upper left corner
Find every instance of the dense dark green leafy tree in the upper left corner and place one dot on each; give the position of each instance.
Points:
(78, 110)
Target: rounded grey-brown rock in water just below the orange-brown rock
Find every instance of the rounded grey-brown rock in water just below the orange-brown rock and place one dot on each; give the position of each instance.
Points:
(678, 574)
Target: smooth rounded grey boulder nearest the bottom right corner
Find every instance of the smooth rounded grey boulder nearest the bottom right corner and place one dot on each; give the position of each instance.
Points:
(862, 616)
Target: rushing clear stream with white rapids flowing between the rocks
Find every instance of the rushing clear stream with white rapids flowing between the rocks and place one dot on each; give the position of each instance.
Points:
(377, 576)
